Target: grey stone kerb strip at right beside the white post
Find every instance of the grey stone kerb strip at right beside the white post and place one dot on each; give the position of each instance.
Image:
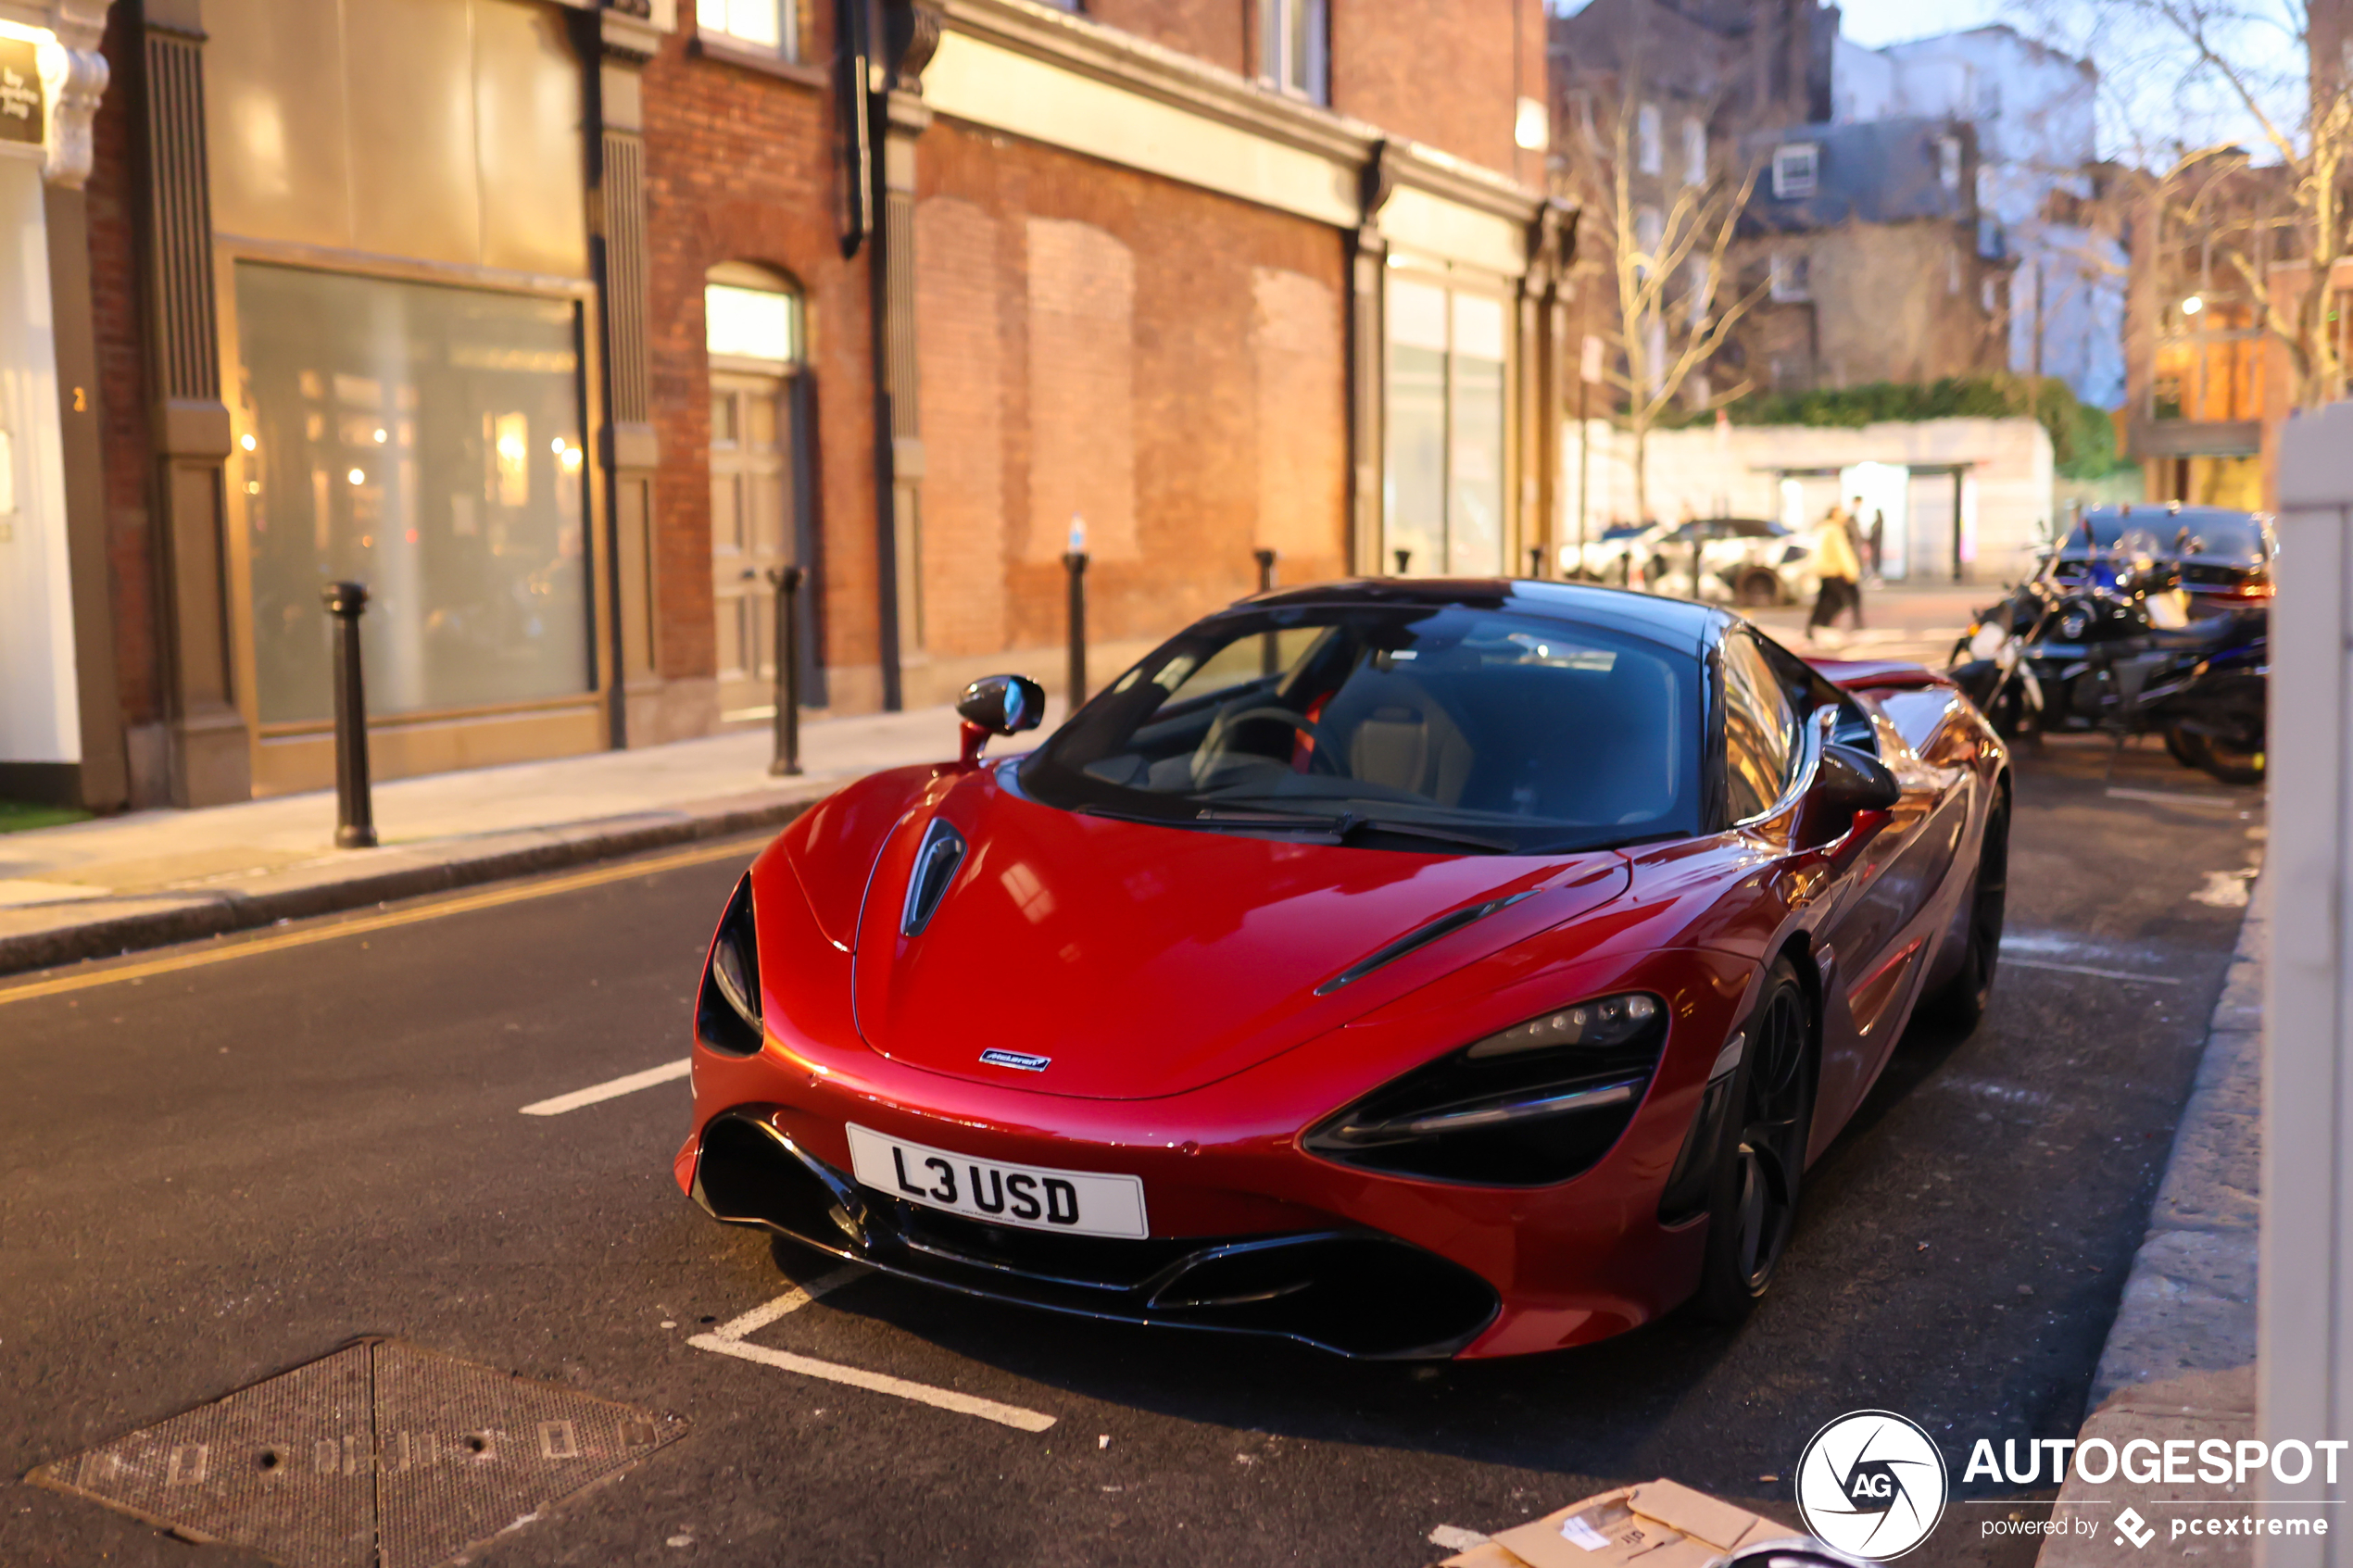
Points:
(2180, 1358)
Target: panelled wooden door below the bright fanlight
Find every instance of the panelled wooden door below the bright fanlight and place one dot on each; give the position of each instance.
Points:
(752, 530)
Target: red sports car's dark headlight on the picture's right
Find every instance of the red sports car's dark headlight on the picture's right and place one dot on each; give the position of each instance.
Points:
(1521, 1108)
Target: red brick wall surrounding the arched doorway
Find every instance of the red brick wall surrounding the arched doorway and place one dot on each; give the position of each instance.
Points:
(740, 168)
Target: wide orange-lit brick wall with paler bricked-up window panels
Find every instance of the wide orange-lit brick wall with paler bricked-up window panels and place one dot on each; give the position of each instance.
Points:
(1154, 356)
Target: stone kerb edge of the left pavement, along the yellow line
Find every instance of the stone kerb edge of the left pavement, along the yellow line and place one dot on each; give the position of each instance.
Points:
(394, 873)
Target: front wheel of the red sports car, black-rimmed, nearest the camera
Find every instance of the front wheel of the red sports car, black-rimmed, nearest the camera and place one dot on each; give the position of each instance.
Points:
(1759, 1170)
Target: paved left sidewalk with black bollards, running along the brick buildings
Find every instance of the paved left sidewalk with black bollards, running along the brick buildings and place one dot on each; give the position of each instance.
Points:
(156, 878)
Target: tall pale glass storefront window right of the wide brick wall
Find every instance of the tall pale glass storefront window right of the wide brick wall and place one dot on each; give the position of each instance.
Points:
(1446, 431)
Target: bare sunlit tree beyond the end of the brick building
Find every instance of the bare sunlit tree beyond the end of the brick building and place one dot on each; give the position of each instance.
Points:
(1672, 309)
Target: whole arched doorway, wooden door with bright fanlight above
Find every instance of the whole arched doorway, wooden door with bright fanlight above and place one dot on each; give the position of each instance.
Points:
(761, 481)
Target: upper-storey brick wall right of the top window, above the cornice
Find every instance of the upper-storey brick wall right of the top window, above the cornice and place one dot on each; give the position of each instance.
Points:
(1444, 72)
